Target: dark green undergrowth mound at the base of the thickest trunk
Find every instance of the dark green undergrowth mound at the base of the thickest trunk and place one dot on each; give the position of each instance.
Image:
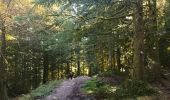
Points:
(134, 88)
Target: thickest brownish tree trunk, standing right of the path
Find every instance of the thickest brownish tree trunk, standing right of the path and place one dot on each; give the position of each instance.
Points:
(138, 46)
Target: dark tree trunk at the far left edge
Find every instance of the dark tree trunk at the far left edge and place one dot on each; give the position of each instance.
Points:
(3, 90)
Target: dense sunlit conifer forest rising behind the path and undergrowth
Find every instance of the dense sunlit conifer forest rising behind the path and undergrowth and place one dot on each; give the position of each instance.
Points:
(43, 40)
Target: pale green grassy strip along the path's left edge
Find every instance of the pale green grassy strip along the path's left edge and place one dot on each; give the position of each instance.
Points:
(45, 89)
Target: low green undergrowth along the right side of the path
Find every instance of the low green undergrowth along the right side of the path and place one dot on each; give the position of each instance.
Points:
(127, 89)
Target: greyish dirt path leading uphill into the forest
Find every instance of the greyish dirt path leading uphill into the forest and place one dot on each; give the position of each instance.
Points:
(68, 90)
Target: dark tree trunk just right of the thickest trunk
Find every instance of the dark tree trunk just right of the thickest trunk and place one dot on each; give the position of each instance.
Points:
(154, 48)
